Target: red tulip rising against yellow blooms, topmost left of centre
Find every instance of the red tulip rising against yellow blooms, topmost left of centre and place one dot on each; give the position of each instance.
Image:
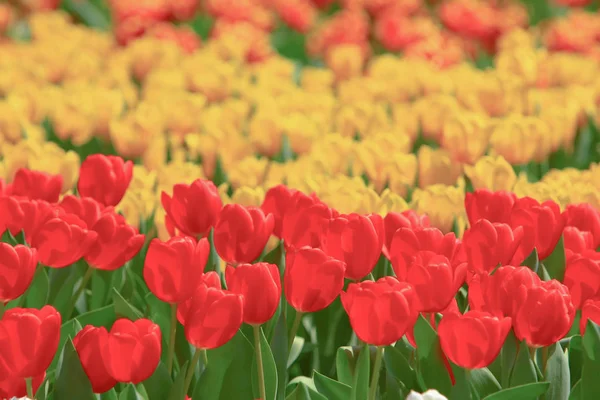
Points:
(193, 208)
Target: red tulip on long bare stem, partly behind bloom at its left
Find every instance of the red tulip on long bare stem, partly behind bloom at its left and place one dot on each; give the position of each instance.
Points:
(260, 286)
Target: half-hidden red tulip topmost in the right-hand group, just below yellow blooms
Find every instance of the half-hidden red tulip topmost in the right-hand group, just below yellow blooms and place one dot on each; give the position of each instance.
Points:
(493, 206)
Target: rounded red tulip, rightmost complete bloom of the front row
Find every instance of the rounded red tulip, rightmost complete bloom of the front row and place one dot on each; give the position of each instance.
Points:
(545, 313)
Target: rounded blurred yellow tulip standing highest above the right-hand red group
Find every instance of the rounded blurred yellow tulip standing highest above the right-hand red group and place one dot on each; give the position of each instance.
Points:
(466, 136)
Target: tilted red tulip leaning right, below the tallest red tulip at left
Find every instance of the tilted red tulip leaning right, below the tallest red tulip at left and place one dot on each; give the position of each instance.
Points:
(117, 243)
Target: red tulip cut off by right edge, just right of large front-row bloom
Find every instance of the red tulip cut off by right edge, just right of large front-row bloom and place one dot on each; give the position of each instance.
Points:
(582, 277)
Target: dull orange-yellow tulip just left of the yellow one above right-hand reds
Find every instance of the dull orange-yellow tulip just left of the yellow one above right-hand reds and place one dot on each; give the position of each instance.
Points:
(436, 166)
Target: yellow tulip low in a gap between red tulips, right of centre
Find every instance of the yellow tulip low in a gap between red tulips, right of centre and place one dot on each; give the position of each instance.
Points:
(443, 204)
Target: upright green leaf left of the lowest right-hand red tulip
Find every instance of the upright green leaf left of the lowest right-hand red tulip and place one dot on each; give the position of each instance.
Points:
(431, 371)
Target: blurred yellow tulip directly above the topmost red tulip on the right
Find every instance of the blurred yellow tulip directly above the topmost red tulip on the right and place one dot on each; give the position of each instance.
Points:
(492, 173)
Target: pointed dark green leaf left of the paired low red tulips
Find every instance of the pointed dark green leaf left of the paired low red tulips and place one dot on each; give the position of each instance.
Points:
(71, 381)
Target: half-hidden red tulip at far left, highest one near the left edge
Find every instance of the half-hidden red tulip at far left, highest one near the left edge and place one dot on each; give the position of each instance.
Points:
(37, 185)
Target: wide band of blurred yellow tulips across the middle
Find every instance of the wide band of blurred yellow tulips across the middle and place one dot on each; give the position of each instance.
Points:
(349, 135)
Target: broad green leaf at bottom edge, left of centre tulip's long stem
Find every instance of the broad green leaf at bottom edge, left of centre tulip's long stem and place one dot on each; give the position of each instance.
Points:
(226, 375)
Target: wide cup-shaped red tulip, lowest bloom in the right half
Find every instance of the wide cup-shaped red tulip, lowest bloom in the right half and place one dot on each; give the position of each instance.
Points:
(473, 340)
